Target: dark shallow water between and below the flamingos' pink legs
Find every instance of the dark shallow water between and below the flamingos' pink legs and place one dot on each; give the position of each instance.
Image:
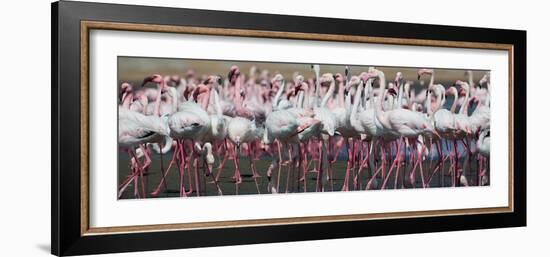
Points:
(153, 176)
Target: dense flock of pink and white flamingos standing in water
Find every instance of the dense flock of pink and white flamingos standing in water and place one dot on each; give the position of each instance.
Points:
(389, 136)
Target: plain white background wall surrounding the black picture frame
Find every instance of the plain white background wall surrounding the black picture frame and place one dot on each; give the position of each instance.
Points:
(25, 128)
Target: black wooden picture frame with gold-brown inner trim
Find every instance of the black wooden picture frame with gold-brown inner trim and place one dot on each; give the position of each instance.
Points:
(71, 24)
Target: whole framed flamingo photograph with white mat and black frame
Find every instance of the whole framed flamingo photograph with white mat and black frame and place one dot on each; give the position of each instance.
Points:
(178, 128)
